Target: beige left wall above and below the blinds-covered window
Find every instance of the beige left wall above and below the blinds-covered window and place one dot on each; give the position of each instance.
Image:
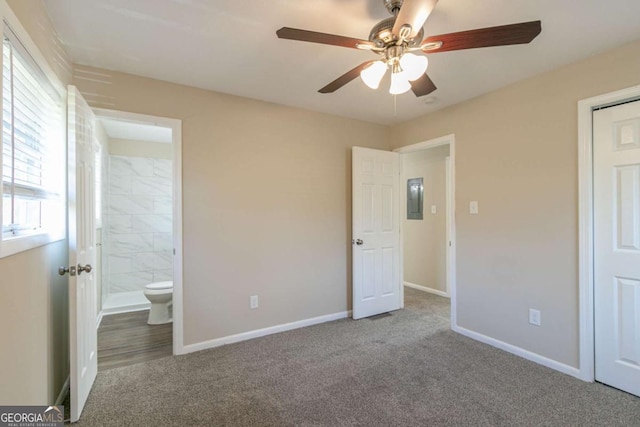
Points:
(34, 355)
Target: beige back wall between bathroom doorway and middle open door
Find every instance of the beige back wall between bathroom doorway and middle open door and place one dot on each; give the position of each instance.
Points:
(266, 202)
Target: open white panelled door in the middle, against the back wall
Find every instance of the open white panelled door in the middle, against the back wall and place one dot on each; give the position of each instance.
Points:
(376, 231)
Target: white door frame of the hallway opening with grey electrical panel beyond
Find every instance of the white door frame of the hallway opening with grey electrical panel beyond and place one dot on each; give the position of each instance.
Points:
(451, 223)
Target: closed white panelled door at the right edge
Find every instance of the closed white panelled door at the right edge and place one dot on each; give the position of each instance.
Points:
(616, 215)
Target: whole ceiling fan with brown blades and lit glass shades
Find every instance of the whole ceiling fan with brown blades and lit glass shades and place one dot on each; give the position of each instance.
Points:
(393, 39)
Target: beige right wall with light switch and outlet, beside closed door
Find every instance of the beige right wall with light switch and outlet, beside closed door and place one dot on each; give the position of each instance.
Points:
(516, 154)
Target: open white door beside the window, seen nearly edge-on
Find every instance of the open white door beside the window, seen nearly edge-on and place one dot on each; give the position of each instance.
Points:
(82, 302)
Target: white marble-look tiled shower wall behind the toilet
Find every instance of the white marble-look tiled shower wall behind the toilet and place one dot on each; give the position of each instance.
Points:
(138, 223)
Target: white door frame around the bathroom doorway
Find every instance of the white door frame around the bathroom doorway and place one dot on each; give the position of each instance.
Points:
(176, 134)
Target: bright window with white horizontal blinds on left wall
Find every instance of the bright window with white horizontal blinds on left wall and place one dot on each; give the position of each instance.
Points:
(33, 151)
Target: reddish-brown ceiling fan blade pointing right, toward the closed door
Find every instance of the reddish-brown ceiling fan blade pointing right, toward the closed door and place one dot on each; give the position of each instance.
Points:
(502, 35)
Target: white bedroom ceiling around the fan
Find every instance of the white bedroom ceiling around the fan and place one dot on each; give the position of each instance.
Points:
(231, 46)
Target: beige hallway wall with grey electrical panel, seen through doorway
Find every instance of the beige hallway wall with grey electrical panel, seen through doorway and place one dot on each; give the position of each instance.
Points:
(424, 241)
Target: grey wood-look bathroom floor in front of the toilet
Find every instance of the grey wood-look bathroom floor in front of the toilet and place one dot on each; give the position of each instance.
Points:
(125, 339)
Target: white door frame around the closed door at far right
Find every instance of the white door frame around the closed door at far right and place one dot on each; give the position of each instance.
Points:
(586, 107)
